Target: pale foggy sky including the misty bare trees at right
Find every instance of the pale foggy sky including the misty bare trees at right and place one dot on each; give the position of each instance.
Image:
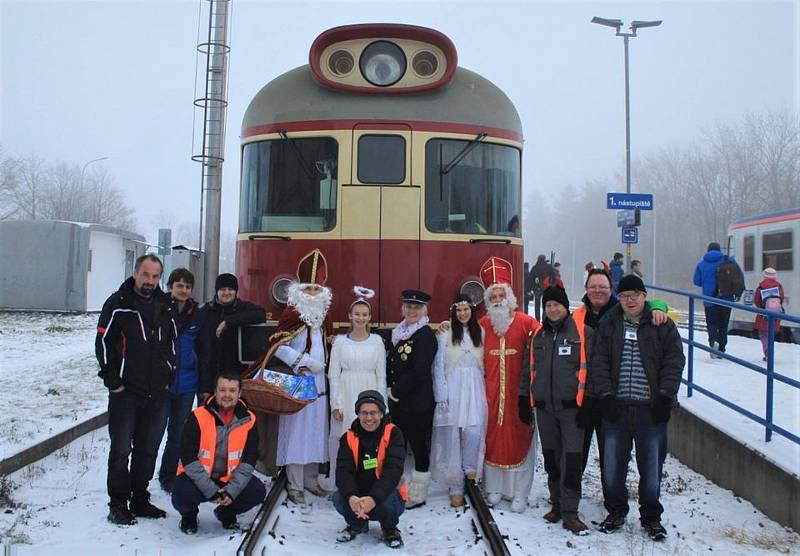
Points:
(714, 103)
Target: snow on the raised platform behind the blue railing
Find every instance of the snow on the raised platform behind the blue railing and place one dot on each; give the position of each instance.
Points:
(747, 388)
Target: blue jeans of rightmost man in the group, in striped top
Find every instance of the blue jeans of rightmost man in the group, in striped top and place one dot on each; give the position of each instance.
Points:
(635, 425)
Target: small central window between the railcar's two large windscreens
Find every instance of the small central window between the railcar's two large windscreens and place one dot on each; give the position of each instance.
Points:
(381, 159)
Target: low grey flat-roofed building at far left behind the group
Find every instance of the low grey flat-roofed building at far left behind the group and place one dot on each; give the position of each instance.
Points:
(54, 265)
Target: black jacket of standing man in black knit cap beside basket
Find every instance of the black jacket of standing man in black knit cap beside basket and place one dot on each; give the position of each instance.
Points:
(223, 352)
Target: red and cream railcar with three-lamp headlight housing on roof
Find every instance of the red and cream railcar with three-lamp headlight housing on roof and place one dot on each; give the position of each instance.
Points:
(400, 166)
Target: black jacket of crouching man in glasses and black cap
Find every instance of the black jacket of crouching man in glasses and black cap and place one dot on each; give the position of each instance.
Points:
(352, 480)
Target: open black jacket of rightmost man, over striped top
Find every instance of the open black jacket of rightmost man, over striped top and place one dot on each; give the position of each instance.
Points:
(660, 348)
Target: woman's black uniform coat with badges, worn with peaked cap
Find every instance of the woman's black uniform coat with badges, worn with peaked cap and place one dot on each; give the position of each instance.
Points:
(409, 373)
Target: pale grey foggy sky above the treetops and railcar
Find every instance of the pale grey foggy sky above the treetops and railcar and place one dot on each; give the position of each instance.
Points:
(83, 80)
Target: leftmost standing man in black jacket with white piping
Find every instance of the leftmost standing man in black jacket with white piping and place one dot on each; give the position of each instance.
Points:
(135, 346)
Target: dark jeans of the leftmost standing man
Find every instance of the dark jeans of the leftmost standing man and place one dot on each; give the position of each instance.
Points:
(135, 431)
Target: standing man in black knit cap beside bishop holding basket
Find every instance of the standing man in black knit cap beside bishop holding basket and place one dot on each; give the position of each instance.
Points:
(224, 315)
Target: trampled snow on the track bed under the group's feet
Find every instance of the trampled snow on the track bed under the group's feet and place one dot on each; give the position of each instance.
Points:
(58, 505)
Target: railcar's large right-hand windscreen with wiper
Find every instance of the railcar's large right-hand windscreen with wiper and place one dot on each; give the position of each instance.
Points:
(472, 188)
